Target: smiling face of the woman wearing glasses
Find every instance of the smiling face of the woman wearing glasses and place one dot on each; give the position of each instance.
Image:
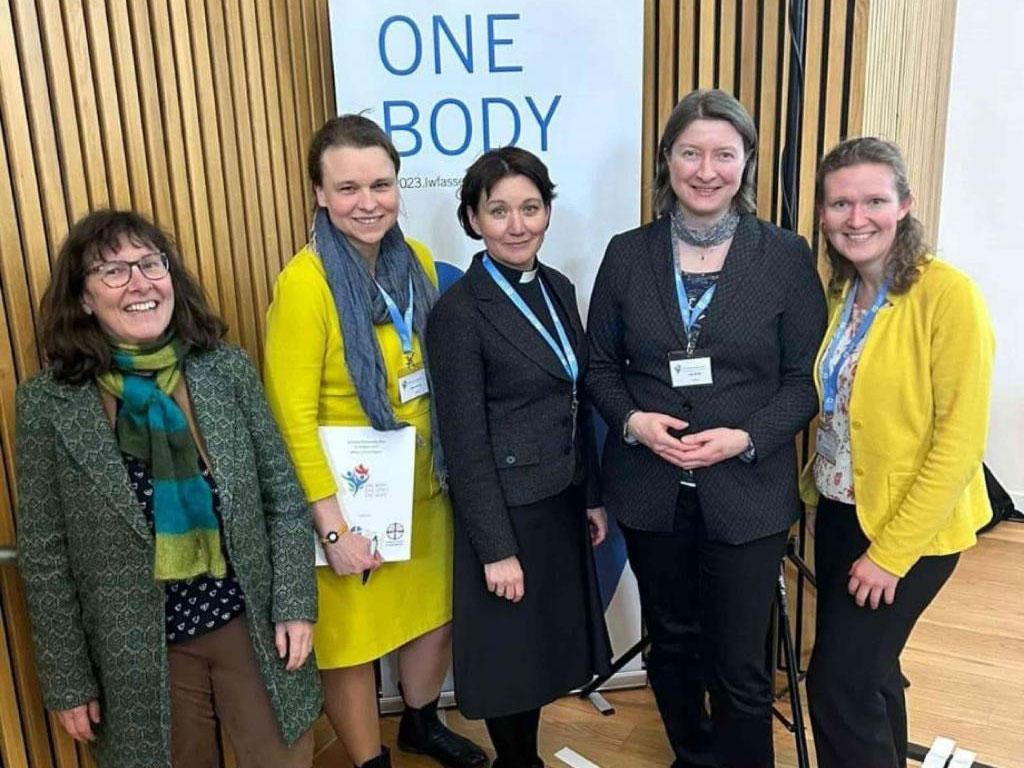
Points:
(139, 313)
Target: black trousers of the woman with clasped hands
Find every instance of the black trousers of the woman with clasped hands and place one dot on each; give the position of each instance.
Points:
(708, 608)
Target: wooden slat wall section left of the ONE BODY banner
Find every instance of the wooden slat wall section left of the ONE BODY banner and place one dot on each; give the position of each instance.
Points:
(194, 113)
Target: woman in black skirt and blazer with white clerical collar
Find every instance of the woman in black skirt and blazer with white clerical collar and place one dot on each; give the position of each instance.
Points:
(509, 356)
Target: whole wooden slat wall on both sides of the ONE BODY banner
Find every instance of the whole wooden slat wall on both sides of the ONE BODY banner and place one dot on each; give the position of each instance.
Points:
(198, 114)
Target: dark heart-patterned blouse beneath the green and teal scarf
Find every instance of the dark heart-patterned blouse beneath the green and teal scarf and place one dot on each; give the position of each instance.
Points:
(195, 607)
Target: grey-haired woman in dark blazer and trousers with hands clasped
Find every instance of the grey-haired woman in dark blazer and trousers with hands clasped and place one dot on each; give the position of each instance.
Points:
(704, 326)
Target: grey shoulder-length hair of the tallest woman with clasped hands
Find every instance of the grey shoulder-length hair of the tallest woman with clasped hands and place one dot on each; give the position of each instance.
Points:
(708, 105)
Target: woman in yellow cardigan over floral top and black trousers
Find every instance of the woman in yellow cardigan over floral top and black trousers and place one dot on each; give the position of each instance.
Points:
(905, 376)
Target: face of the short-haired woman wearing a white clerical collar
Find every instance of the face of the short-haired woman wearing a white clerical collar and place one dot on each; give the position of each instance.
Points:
(513, 221)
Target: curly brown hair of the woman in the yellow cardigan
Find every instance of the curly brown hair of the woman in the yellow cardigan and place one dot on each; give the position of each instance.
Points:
(910, 250)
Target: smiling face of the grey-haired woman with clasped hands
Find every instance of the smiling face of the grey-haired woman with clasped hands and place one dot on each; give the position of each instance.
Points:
(706, 169)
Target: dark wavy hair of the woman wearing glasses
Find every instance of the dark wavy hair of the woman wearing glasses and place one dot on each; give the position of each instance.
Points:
(73, 344)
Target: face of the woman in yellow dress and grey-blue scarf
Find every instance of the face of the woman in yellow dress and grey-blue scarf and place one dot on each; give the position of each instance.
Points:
(360, 192)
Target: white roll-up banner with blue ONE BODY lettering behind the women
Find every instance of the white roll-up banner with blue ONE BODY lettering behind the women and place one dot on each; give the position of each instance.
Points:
(449, 80)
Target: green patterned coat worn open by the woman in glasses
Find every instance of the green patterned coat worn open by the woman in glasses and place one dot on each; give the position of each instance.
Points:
(87, 553)
